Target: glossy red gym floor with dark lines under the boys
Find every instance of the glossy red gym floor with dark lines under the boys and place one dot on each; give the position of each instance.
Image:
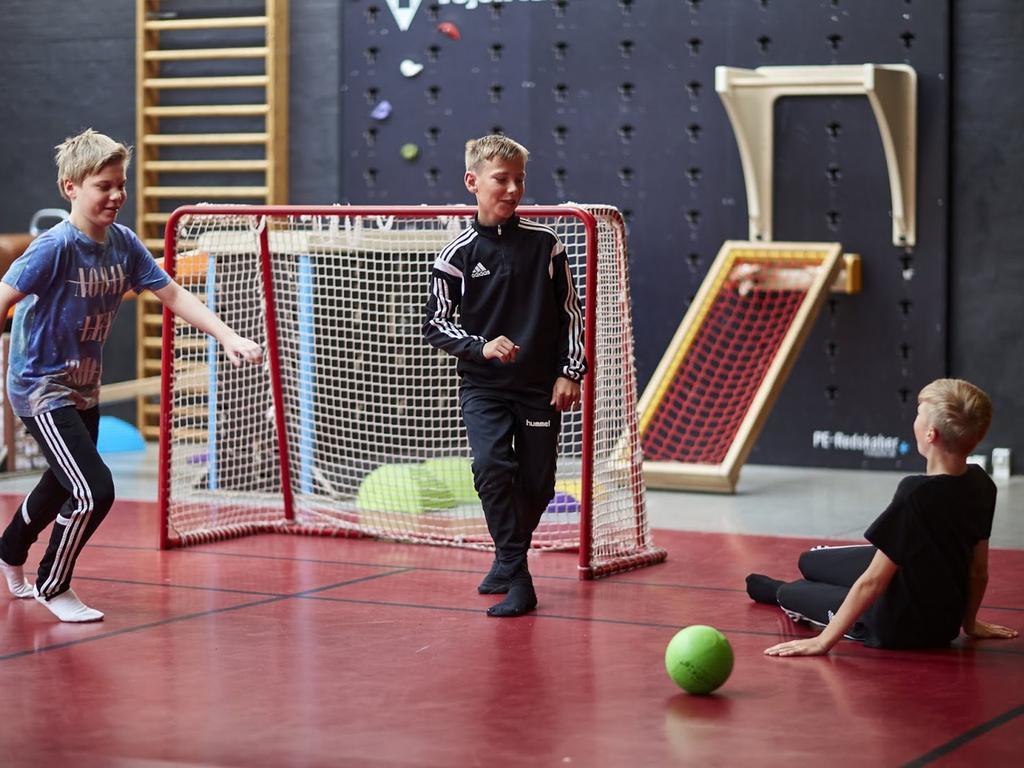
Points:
(281, 651)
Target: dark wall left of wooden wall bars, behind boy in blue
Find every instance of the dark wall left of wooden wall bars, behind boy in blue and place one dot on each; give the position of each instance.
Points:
(56, 80)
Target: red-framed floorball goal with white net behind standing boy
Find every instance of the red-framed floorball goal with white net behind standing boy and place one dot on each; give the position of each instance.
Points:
(352, 426)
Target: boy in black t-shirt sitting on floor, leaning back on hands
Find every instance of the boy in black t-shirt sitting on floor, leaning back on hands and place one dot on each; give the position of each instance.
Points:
(924, 574)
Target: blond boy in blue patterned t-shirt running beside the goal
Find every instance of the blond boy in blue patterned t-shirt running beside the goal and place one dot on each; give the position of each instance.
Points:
(68, 287)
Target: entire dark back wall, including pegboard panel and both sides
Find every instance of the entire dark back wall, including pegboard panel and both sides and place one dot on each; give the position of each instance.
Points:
(617, 102)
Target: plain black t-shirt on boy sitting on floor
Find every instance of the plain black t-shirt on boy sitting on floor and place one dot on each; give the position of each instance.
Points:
(930, 531)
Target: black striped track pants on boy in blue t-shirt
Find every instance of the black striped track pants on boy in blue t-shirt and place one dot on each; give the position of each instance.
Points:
(75, 494)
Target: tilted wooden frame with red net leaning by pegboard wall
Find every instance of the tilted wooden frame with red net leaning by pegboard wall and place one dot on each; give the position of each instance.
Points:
(739, 338)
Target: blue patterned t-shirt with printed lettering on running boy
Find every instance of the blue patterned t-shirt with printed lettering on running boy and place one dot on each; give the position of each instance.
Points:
(74, 288)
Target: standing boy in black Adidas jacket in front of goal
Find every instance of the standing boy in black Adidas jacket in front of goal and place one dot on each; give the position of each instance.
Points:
(520, 345)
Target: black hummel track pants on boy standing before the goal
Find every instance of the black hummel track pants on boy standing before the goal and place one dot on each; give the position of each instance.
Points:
(516, 445)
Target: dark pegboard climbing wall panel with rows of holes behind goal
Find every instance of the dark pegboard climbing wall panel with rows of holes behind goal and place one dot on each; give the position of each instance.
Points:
(616, 100)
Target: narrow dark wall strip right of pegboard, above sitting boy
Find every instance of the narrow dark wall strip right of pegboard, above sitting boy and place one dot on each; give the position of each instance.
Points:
(988, 222)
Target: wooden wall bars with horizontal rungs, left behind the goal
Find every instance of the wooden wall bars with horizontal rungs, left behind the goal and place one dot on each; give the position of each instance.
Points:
(196, 86)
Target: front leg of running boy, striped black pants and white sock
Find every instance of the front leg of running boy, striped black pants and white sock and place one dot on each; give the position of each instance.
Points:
(68, 439)
